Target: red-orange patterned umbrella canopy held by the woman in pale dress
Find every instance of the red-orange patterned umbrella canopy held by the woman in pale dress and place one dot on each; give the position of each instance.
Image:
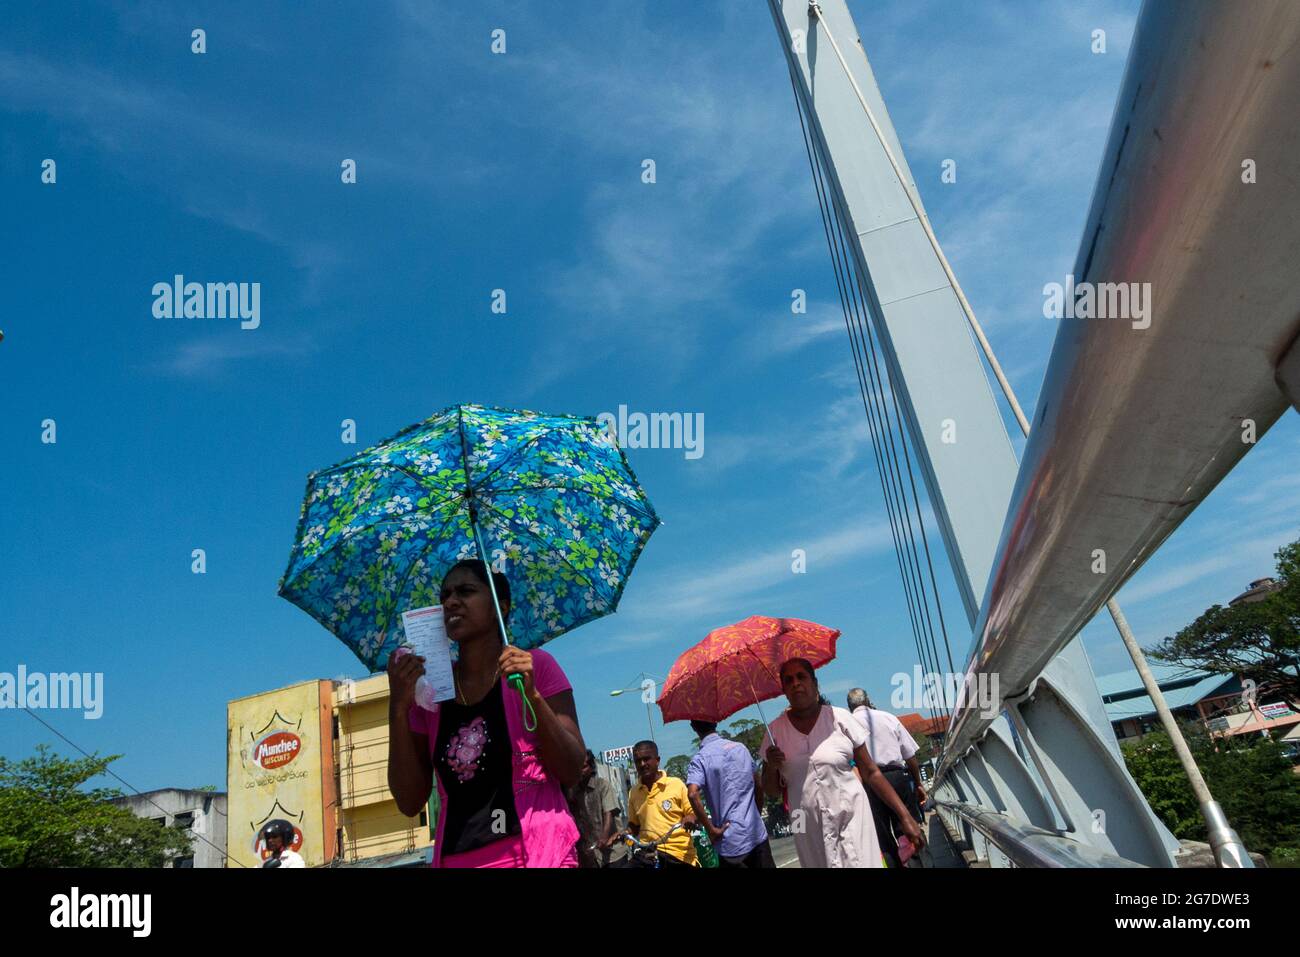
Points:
(740, 665)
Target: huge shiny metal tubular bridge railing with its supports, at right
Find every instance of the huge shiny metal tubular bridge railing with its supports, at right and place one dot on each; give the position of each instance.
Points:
(1139, 417)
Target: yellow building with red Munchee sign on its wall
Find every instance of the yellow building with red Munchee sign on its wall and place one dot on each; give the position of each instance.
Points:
(317, 755)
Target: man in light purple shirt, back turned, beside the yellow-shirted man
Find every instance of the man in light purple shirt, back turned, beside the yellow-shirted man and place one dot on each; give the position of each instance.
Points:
(723, 774)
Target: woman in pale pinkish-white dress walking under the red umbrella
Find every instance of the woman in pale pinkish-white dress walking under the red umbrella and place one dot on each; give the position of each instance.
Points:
(822, 763)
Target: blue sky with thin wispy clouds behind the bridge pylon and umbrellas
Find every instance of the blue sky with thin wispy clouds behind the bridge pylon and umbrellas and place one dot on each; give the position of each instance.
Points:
(480, 172)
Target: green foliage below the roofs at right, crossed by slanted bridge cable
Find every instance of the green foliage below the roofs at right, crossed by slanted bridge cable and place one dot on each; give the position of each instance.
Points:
(1249, 774)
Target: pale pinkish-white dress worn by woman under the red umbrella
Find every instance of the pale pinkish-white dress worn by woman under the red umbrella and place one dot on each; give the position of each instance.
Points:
(838, 830)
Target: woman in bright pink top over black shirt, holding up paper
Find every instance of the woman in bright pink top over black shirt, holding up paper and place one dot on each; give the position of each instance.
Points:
(500, 785)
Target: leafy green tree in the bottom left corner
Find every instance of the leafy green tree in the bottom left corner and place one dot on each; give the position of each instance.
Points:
(49, 821)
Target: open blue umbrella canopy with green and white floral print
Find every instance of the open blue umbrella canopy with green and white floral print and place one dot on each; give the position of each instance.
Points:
(551, 500)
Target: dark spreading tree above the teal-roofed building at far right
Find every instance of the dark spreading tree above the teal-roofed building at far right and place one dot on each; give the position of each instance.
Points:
(1258, 640)
